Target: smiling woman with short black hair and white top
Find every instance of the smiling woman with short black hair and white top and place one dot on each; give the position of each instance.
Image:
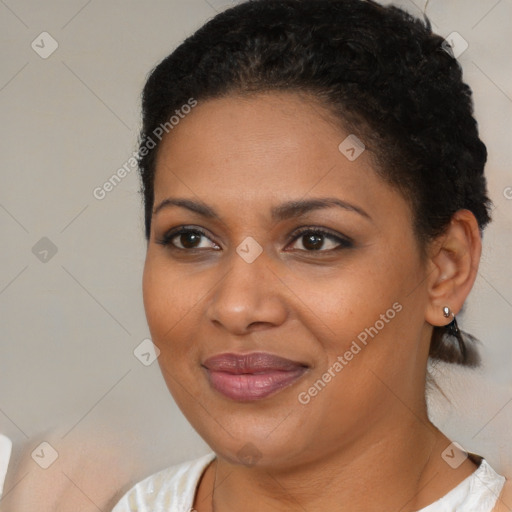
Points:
(314, 204)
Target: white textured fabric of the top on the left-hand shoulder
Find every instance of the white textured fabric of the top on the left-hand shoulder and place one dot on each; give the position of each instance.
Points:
(169, 490)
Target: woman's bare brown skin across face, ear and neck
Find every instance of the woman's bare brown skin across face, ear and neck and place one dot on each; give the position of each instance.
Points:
(364, 442)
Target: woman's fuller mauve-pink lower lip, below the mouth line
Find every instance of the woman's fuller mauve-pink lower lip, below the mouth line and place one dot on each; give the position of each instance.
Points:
(252, 386)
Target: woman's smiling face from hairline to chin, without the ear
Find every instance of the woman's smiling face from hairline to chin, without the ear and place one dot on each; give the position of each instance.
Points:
(282, 345)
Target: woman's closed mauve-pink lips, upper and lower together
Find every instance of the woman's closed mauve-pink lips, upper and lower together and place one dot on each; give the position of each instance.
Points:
(251, 376)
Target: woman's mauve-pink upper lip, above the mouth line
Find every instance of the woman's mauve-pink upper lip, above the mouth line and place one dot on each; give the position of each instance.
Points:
(255, 362)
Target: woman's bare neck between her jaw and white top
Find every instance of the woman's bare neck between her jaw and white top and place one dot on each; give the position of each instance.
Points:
(402, 471)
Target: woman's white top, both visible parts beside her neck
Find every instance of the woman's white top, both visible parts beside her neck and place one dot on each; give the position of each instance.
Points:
(174, 488)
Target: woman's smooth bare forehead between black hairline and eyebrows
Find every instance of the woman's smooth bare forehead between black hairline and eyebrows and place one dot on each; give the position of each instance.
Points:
(263, 148)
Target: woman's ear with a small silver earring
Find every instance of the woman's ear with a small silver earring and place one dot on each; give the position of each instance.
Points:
(453, 260)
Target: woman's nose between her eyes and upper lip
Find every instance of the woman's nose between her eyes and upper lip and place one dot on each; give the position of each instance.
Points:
(249, 297)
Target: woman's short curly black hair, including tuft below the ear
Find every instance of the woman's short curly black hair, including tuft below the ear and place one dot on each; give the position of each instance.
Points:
(383, 74)
